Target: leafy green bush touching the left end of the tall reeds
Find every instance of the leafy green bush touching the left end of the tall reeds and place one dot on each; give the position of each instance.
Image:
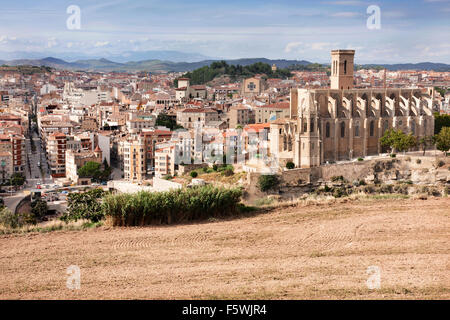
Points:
(85, 205)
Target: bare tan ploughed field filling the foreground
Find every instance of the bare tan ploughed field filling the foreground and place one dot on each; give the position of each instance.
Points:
(304, 252)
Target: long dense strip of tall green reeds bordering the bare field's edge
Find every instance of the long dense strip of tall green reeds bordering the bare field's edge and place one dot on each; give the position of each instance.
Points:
(144, 208)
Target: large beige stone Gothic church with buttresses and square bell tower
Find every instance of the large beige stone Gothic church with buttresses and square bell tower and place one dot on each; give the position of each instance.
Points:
(343, 123)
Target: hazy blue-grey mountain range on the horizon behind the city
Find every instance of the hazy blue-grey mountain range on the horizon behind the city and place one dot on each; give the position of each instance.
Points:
(156, 65)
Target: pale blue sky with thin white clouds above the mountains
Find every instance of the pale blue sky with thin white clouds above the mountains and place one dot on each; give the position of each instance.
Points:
(409, 30)
